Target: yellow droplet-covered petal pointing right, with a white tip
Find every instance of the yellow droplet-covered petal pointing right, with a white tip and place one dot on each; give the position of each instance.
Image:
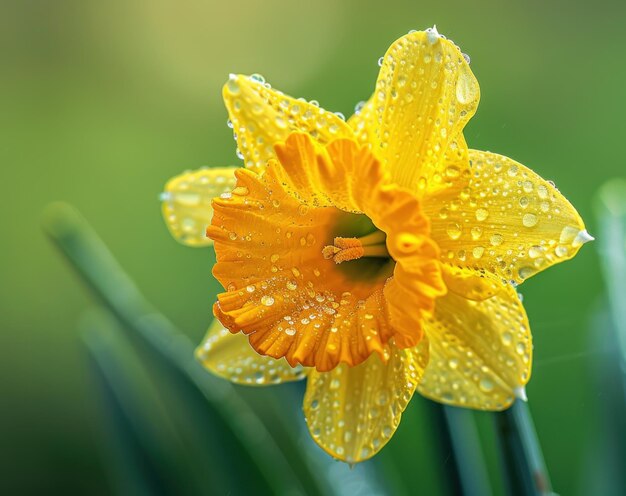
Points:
(504, 219)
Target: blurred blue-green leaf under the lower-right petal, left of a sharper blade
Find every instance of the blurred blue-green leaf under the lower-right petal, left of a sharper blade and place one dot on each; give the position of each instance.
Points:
(467, 472)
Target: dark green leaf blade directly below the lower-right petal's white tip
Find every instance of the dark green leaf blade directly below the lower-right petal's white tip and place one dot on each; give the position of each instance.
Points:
(524, 465)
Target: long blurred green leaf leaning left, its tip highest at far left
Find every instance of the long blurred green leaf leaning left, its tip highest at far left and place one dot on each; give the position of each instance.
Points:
(91, 258)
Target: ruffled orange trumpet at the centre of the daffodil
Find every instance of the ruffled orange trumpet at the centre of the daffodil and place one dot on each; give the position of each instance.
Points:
(291, 301)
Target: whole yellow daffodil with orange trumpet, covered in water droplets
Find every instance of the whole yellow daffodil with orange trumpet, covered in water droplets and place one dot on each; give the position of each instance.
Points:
(375, 256)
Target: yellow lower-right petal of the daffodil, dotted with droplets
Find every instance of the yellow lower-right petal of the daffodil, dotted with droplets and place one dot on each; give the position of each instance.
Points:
(480, 351)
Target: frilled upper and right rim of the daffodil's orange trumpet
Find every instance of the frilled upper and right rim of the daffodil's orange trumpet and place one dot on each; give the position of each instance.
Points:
(348, 177)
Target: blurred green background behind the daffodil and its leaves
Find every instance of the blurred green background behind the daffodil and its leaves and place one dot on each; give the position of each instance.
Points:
(102, 102)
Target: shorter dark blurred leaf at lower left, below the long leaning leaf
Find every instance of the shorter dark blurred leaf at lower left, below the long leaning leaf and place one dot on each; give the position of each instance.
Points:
(147, 456)
